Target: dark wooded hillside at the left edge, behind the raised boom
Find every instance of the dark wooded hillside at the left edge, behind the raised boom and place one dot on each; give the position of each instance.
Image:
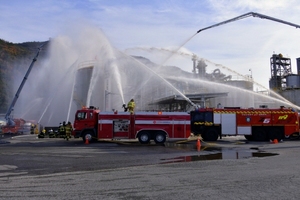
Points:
(15, 60)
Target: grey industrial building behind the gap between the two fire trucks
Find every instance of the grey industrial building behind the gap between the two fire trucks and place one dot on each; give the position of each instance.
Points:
(201, 94)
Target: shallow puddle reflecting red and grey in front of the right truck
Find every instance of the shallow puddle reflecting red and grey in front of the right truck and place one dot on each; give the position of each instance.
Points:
(224, 154)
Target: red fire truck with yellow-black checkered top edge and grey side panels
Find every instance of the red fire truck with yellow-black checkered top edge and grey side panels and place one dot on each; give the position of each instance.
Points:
(255, 124)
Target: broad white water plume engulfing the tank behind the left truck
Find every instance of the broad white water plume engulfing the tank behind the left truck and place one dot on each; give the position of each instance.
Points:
(82, 69)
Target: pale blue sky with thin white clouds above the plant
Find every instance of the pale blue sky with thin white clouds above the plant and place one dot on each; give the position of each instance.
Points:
(242, 45)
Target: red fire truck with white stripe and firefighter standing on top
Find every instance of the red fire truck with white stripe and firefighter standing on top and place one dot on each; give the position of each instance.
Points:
(91, 124)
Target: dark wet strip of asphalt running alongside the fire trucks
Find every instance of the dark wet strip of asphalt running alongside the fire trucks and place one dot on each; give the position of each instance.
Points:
(31, 155)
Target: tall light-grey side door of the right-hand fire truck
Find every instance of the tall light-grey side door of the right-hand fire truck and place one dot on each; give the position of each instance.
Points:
(228, 122)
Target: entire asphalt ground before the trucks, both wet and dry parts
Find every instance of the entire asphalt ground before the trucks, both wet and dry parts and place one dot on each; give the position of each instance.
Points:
(232, 168)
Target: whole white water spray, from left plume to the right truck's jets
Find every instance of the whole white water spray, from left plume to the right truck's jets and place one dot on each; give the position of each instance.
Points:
(83, 69)
